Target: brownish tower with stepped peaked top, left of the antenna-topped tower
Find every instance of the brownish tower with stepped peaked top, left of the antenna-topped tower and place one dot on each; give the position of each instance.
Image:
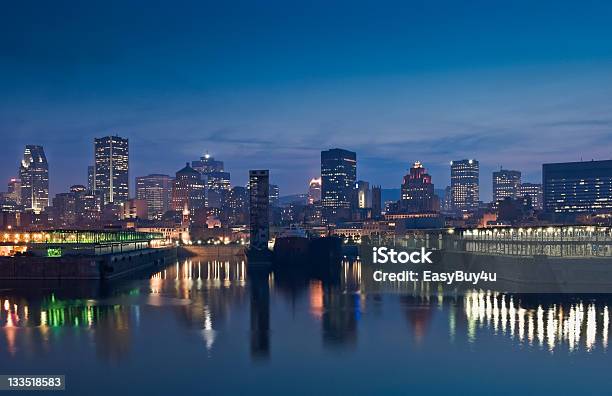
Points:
(187, 190)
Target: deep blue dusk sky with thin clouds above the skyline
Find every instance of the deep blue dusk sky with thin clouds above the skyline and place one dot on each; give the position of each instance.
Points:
(268, 84)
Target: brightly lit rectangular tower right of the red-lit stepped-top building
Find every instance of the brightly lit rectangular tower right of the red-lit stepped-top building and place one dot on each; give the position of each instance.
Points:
(464, 185)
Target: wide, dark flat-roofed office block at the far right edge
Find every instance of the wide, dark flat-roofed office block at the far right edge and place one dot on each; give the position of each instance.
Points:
(577, 187)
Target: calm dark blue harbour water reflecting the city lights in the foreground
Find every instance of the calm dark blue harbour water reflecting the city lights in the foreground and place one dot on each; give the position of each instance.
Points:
(211, 328)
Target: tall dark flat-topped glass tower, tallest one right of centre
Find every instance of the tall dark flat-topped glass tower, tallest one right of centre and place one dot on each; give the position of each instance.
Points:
(338, 176)
